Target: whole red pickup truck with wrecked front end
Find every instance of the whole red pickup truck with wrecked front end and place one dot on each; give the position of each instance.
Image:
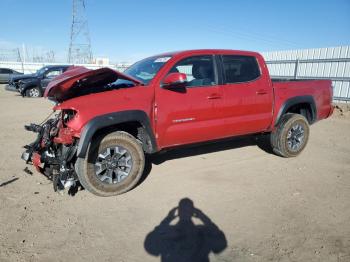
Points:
(106, 121)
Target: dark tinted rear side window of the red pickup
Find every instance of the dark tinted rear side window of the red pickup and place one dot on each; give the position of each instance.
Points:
(238, 69)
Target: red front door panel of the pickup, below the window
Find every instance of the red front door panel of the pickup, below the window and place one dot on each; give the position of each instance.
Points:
(184, 118)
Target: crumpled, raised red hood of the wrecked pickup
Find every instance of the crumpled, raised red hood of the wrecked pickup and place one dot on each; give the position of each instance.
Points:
(77, 81)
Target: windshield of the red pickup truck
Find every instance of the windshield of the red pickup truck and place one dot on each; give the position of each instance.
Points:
(146, 69)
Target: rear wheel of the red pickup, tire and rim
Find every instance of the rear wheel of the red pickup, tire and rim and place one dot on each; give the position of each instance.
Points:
(290, 136)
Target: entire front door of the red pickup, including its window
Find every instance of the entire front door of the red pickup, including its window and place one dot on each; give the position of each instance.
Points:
(191, 114)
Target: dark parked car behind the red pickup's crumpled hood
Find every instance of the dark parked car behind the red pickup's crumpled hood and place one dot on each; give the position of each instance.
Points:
(33, 85)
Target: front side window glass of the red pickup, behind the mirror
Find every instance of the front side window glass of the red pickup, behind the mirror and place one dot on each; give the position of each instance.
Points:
(198, 69)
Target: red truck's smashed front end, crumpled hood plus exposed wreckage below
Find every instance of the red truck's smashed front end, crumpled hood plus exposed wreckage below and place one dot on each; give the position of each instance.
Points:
(54, 152)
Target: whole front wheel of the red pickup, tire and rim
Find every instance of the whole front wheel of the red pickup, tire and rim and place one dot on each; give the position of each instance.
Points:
(113, 166)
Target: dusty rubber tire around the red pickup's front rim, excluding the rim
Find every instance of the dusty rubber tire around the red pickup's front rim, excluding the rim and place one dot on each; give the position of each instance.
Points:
(86, 166)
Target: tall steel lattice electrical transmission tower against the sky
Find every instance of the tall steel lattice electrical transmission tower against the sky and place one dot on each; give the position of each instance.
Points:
(80, 44)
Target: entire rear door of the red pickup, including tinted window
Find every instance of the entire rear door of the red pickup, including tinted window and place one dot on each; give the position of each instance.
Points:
(248, 97)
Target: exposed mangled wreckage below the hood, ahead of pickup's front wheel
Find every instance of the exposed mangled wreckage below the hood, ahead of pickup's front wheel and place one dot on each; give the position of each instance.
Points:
(53, 153)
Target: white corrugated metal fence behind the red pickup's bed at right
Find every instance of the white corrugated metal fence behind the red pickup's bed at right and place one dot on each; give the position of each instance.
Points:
(321, 63)
